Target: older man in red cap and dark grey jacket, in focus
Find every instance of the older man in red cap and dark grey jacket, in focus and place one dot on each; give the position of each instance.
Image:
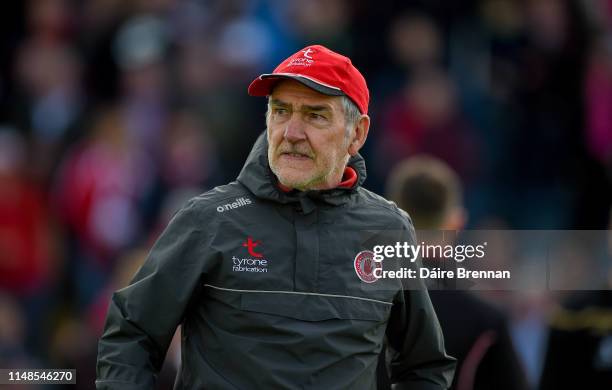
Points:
(266, 275)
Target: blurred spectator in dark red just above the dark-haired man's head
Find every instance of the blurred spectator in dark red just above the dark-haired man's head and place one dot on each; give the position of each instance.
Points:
(426, 118)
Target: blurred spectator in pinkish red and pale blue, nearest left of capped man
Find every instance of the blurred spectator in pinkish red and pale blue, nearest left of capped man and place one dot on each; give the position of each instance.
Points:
(98, 193)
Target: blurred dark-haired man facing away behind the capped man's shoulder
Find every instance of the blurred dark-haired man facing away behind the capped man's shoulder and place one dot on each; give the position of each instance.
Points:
(476, 332)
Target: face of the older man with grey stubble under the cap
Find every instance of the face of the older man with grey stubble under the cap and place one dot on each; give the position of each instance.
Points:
(308, 145)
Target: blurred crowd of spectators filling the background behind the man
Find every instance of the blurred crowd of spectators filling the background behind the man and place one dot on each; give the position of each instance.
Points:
(113, 113)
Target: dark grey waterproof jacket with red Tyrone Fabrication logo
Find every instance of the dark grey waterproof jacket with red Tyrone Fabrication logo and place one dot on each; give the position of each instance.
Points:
(264, 284)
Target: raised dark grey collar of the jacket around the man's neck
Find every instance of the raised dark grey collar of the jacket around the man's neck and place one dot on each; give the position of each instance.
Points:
(259, 179)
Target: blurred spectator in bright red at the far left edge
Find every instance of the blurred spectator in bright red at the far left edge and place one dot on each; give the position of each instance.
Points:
(29, 252)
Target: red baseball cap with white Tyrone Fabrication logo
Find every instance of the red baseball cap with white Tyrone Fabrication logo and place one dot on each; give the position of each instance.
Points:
(321, 69)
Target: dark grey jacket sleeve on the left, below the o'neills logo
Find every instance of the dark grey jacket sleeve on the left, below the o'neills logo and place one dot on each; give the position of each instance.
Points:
(143, 317)
